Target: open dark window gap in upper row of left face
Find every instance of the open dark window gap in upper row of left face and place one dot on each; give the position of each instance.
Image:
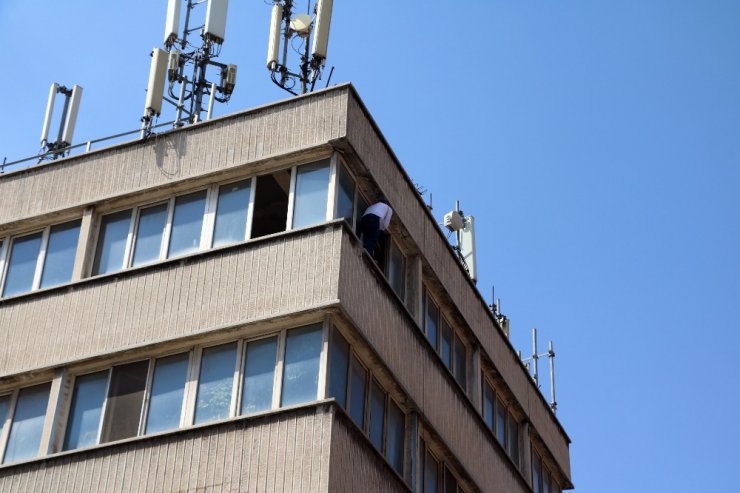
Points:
(271, 203)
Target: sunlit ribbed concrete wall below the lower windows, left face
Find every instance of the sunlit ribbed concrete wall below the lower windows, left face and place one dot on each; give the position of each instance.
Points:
(283, 452)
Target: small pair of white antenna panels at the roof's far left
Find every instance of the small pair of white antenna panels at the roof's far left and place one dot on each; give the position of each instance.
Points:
(58, 147)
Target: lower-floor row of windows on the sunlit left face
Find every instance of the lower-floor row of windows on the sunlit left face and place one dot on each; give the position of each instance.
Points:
(156, 395)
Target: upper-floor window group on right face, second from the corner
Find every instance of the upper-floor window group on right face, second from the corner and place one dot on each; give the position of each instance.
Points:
(445, 340)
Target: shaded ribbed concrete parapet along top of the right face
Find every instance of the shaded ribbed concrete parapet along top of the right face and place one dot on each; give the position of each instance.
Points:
(414, 216)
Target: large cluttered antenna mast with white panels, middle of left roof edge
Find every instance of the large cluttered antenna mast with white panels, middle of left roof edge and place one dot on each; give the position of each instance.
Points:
(183, 66)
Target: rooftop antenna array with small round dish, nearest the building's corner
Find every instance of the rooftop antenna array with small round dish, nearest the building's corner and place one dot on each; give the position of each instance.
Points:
(311, 33)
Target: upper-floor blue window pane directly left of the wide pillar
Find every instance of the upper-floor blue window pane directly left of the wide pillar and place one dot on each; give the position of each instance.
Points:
(60, 254)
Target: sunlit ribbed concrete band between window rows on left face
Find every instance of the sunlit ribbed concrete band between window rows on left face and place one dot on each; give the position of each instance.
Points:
(263, 278)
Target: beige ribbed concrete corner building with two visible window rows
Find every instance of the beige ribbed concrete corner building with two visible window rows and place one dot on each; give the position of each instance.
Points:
(193, 312)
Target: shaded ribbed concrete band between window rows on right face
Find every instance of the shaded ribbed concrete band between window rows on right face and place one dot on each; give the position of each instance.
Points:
(402, 347)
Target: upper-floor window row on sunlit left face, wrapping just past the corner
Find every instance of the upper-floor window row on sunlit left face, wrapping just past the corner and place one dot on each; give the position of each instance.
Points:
(215, 216)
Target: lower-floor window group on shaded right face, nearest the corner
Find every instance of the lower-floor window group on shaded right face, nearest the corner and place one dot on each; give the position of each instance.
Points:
(369, 406)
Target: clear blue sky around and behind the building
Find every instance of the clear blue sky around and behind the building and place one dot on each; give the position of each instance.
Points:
(596, 143)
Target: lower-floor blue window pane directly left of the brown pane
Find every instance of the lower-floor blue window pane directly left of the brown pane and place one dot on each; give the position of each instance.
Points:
(86, 409)
